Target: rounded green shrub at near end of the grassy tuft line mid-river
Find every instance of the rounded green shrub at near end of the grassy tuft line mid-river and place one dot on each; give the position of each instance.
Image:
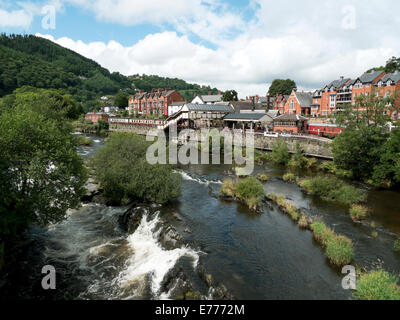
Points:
(339, 250)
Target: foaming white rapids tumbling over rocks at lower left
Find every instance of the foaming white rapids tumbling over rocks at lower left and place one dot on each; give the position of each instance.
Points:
(110, 263)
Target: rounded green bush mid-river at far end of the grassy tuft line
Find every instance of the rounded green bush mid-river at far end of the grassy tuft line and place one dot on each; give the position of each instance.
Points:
(250, 191)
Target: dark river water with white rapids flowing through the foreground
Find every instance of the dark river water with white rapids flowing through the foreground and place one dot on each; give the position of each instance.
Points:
(254, 256)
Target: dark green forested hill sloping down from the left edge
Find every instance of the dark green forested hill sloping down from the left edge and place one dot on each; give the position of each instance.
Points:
(41, 63)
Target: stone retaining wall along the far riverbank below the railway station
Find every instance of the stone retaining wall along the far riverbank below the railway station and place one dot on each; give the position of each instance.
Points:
(313, 146)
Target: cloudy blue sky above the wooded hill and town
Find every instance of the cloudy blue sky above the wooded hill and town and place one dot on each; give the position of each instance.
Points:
(240, 44)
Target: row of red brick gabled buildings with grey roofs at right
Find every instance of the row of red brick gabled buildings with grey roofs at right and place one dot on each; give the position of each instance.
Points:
(342, 91)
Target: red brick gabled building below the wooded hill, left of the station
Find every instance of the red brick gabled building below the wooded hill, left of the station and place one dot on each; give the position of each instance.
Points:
(155, 102)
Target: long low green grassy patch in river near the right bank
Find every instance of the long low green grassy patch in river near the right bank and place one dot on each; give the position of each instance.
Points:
(332, 189)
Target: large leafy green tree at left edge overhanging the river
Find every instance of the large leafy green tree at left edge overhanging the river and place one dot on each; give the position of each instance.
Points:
(41, 175)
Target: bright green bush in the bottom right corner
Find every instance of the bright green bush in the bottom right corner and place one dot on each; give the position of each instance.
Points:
(377, 285)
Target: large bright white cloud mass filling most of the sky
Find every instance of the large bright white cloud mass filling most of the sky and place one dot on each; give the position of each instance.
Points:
(304, 42)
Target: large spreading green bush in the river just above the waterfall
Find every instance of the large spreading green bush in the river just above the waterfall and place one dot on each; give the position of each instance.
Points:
(124, 173)
